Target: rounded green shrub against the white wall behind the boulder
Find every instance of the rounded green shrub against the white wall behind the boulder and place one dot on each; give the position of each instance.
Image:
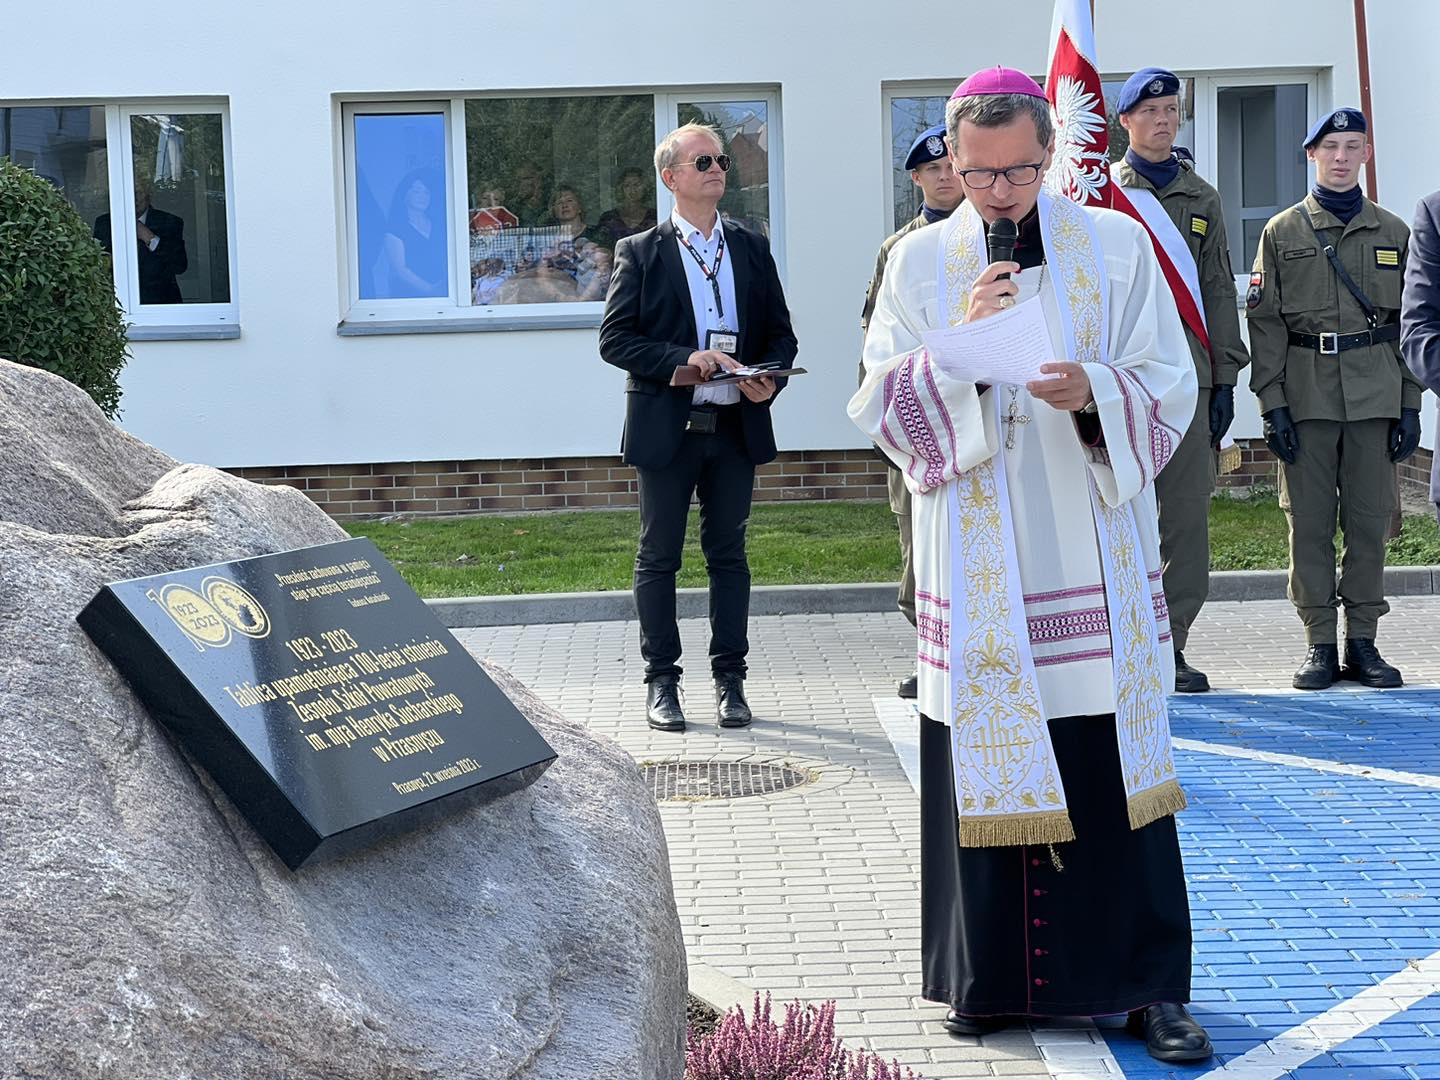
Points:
(58, 306)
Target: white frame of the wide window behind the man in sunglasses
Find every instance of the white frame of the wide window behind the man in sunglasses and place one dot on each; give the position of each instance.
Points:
(459, 313)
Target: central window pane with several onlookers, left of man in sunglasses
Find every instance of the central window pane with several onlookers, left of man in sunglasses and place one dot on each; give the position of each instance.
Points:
(554, 185)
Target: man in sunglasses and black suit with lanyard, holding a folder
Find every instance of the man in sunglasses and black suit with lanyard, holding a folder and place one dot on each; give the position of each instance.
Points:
(695, 293)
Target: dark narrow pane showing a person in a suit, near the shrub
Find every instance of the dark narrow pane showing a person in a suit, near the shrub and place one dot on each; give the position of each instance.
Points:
(182, 224)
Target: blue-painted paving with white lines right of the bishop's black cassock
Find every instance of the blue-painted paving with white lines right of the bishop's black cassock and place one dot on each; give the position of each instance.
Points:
(1308, 888)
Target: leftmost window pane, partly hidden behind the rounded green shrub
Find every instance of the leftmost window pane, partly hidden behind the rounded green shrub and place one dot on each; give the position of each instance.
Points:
(64, 146)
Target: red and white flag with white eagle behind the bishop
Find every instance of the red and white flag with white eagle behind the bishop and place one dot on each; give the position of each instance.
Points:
(1081, 171)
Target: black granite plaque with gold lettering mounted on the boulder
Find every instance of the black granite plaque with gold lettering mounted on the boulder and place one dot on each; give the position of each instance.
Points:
(319, 692)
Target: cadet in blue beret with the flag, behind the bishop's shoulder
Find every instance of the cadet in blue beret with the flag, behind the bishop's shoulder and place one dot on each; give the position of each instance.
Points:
(1156, 172)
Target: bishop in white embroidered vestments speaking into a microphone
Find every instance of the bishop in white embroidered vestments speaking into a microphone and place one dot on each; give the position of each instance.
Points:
(1052, 879)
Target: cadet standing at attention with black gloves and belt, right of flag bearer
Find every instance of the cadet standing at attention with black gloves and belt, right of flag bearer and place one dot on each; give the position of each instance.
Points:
(1338, 402)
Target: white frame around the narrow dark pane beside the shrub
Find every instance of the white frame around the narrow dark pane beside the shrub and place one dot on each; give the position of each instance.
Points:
(159, 322)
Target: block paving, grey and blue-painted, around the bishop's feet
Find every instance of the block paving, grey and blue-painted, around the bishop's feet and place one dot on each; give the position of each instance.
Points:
(1313, 843)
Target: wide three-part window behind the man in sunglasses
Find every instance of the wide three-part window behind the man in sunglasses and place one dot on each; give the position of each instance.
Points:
(505, 211)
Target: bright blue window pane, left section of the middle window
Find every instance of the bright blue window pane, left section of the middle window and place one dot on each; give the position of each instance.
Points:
(402, 217)
